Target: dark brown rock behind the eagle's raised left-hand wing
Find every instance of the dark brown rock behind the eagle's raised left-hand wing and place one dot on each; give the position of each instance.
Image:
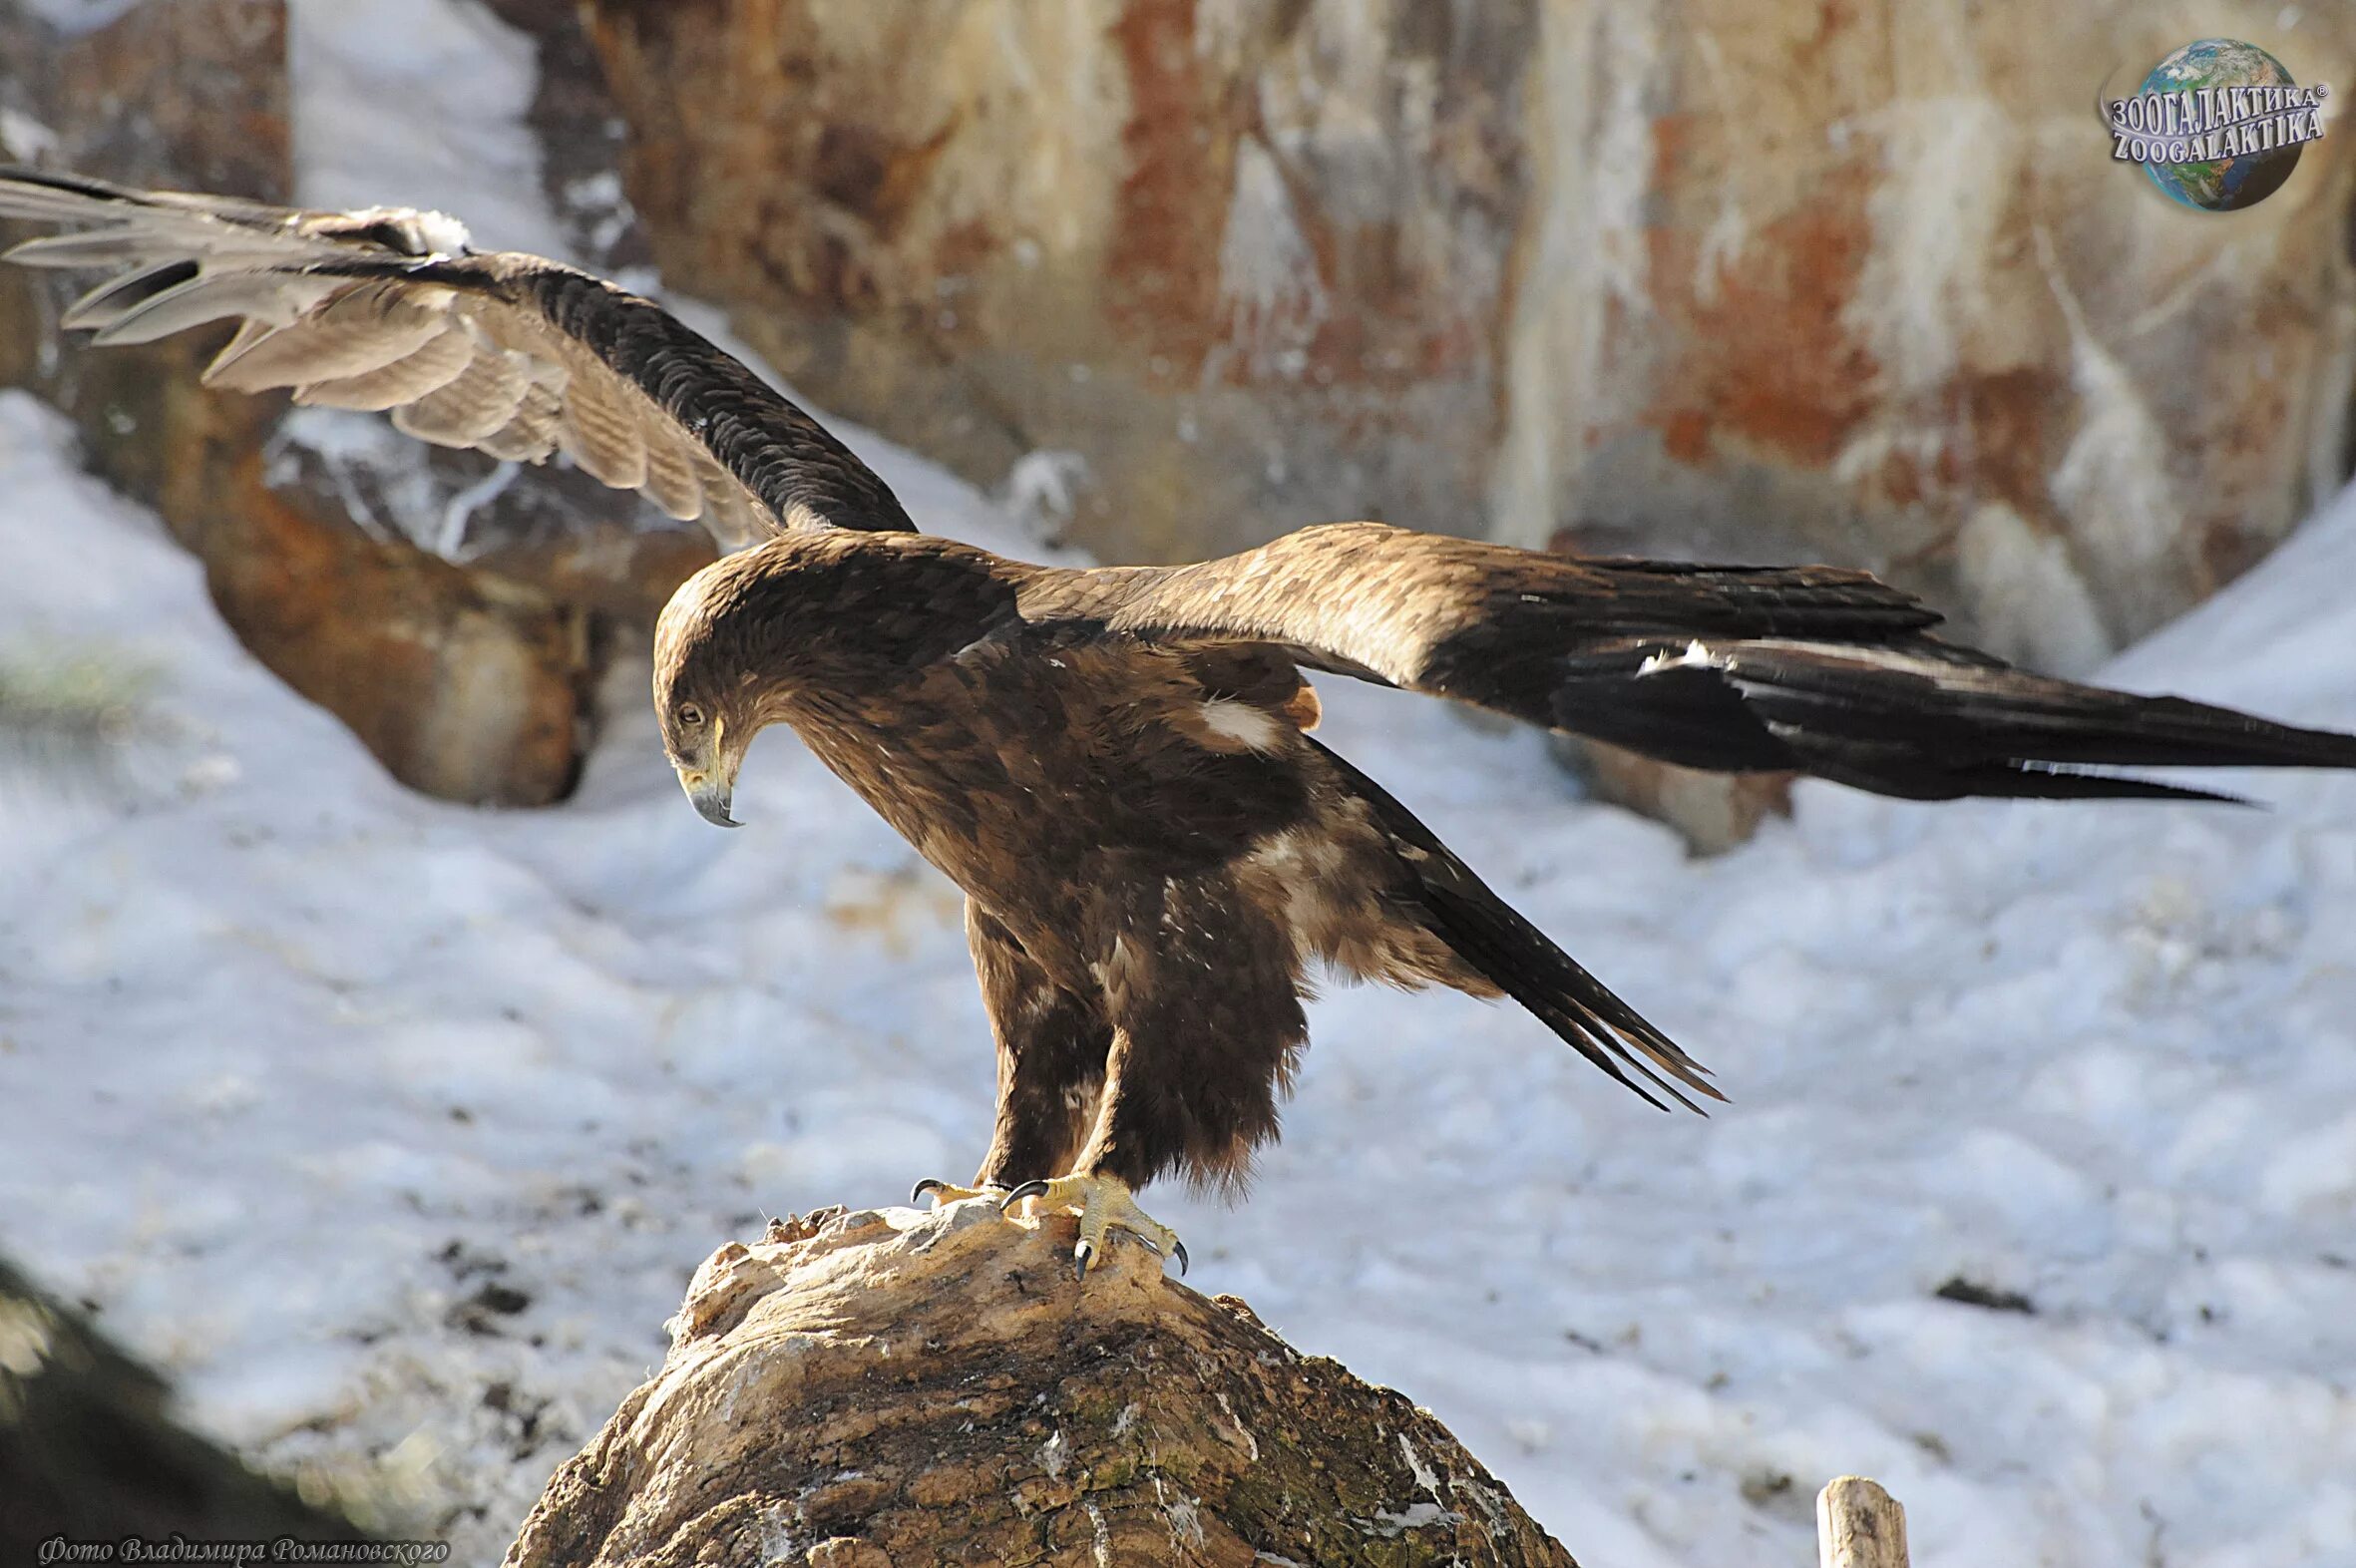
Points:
(470, 684)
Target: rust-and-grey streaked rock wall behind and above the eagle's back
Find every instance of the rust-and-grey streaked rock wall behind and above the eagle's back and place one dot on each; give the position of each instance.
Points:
(1848, 279)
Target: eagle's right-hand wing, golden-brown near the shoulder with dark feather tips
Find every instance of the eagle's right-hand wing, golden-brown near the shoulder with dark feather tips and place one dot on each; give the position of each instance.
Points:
(1733, 670)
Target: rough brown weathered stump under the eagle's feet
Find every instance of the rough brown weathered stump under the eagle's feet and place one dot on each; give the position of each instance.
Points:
(894, 1390)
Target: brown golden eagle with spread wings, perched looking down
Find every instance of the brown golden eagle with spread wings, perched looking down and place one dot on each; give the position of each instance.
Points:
(1116, 764)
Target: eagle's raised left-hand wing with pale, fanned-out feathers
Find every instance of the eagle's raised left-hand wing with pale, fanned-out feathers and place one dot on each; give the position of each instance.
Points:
(510, 354)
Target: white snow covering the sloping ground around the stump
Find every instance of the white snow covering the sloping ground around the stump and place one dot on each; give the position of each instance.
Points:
(395, 1129)
